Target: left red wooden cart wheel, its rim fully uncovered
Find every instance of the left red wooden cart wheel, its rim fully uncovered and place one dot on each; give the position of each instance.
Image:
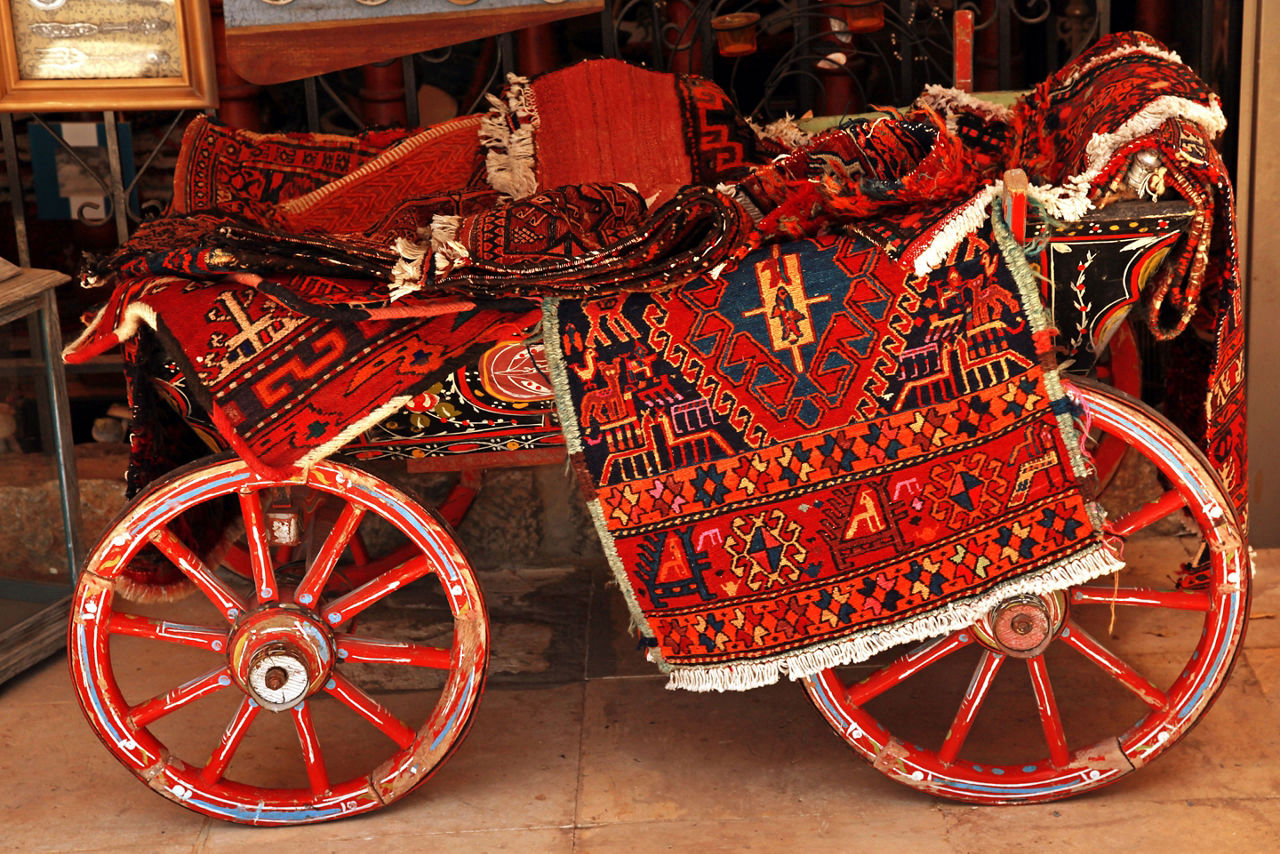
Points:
(282, 664)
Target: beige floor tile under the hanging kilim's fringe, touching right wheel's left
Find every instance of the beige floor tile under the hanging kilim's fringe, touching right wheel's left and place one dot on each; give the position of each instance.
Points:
(652, 755)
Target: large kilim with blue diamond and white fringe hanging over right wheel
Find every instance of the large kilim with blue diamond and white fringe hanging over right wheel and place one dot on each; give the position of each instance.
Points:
(816, 456)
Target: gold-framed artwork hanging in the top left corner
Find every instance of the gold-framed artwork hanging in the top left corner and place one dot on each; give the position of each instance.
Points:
(106, 56)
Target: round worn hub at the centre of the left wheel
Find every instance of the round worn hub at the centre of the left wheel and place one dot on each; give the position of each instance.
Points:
(281, 656)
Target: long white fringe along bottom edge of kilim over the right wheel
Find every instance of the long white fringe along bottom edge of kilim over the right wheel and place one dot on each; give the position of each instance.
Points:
(1092, 564)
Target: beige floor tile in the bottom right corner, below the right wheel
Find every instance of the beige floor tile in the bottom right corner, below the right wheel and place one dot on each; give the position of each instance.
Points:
(1112, 823)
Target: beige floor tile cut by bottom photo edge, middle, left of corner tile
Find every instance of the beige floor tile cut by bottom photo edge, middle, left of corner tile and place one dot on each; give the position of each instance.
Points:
(852, 832)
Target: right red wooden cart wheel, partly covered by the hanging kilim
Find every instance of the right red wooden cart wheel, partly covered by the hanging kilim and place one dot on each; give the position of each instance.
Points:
(1100, 696)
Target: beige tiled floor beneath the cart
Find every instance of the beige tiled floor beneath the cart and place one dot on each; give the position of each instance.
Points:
(591, 753)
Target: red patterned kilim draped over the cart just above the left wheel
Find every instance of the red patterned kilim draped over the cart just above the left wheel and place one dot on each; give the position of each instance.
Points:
(286, 389)
